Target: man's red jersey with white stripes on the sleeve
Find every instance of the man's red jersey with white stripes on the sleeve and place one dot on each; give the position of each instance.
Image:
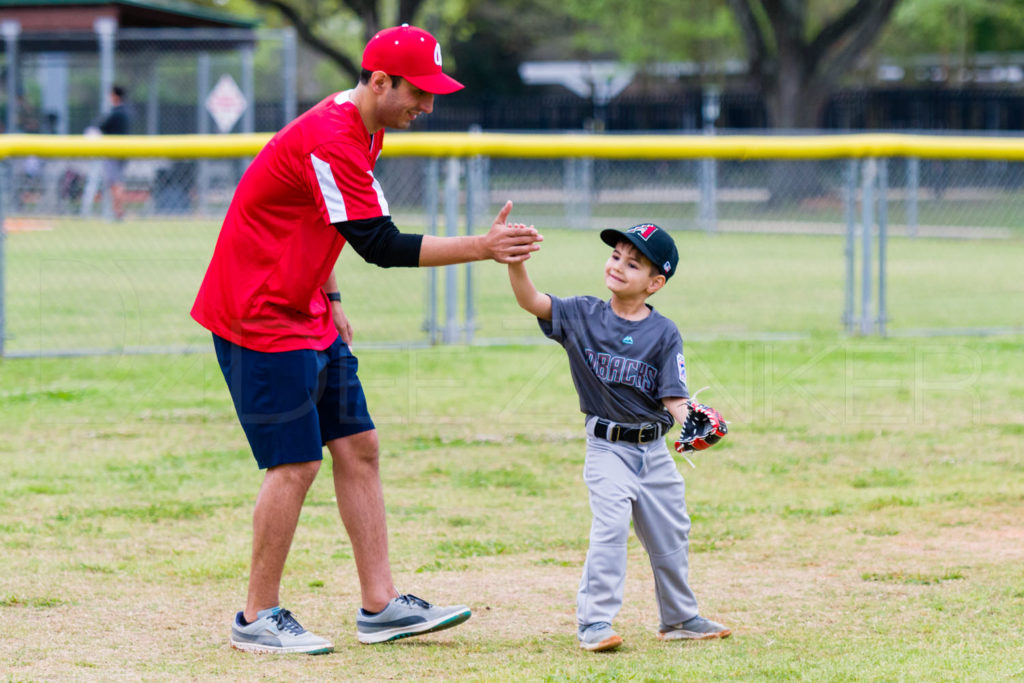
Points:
(278, 246)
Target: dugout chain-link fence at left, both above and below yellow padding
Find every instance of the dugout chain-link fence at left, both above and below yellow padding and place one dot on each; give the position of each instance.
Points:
(170, 77)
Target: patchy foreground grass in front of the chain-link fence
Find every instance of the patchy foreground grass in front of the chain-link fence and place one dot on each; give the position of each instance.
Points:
(861, 523)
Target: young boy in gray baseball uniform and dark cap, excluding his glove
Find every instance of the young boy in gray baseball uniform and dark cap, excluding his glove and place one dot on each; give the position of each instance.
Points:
(627, 364)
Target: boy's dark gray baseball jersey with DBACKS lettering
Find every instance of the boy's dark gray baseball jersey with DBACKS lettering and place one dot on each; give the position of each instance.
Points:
(622, 369)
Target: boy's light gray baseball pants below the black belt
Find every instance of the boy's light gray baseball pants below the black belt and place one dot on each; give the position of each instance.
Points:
(638, 482)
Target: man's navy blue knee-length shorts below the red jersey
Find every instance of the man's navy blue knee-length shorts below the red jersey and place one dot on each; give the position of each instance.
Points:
(290, 404)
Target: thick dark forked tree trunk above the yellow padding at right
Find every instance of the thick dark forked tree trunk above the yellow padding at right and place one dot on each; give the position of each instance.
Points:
(797, 65)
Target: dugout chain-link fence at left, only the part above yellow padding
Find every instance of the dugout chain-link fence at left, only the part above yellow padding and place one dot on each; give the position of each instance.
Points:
(168, 74)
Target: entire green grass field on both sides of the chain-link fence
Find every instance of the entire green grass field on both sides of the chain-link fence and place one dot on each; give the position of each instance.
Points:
(862, 523)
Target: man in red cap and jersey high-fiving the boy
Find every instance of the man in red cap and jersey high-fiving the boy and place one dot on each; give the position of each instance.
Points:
(271, 300)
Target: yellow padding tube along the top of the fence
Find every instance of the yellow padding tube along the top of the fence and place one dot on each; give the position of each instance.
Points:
(533, 146)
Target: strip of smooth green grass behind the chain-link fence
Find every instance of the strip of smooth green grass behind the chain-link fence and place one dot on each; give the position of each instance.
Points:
(118, 287)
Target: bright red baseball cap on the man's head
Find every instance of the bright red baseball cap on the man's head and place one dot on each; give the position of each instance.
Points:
(412, 54)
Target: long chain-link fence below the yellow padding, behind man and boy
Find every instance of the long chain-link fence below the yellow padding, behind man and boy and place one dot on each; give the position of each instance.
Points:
(898, 246)
